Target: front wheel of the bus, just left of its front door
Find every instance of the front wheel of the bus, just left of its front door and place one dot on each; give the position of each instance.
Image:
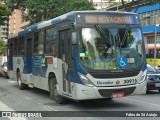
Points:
(54, 95)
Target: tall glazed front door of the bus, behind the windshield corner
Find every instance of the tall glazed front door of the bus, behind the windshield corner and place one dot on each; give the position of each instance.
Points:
(65, 55)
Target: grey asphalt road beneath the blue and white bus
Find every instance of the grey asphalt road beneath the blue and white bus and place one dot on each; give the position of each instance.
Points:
(13, 99)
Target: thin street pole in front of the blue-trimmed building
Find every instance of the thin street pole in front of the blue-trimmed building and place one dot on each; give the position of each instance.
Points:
(155, 42)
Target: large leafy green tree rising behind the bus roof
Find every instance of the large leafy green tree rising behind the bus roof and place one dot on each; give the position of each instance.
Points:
(39, 10)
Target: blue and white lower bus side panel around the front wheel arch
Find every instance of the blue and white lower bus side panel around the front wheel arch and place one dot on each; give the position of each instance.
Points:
(41, 75)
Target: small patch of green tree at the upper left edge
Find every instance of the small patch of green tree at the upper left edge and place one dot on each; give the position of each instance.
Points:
(4, 13)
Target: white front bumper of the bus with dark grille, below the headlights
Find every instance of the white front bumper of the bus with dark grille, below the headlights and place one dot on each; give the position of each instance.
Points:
(84, 92)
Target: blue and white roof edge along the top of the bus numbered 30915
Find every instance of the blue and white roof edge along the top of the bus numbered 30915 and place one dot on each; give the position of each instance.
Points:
(68, 16)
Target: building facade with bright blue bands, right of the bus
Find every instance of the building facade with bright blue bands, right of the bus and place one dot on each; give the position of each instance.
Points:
(150, 20)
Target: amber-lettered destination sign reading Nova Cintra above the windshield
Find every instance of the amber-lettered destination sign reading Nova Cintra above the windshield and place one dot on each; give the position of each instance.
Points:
(107, 19)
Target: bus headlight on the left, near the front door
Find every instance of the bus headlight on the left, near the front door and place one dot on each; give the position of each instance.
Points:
(85, 80)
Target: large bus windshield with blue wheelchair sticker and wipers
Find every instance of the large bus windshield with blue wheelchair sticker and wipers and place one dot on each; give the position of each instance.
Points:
(103, 48)
